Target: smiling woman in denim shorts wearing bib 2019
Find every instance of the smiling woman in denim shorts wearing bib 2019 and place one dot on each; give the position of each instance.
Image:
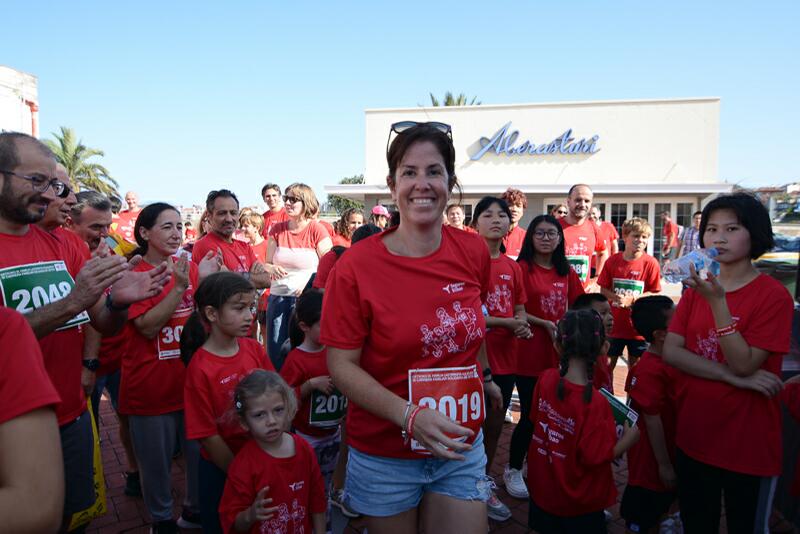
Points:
(405, 333)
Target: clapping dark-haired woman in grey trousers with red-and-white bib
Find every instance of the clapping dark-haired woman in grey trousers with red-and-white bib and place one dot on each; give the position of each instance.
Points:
(151, 387)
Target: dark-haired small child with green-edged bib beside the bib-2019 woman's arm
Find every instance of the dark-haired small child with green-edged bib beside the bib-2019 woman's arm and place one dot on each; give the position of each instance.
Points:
(322, 406)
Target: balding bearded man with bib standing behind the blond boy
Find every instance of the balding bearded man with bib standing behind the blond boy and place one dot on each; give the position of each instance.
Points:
(581, 236)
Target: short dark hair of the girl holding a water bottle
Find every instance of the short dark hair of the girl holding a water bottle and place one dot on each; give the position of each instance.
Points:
(751, 214)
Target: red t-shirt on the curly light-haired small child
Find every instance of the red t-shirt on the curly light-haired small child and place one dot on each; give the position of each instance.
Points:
(296, 487)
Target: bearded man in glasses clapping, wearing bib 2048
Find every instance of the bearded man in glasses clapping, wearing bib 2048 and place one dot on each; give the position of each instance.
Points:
(58, 290)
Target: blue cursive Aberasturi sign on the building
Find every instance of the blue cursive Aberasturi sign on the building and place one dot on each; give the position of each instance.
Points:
(505, 142)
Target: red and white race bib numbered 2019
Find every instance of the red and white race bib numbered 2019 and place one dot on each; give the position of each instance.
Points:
(457, 392)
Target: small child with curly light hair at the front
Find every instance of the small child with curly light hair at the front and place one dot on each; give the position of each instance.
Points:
(274, 483)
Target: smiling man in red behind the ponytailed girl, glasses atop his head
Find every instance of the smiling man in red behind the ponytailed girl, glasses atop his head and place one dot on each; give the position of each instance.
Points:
(237, 256)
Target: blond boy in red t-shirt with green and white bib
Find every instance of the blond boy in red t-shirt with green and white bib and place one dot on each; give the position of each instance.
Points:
(627, 276)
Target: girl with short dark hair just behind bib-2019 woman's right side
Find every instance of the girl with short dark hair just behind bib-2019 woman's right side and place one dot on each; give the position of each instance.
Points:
(506, 322)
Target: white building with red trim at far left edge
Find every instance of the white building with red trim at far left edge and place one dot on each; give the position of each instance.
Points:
(19, 102)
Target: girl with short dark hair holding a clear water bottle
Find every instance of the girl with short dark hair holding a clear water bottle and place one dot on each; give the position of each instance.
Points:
(728, 336)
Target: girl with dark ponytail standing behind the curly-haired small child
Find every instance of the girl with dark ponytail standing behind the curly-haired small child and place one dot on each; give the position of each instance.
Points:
(218, 352)
